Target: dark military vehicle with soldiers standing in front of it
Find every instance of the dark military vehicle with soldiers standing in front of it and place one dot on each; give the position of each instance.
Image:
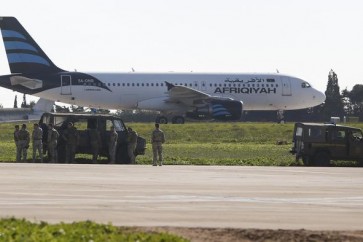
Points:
(85, 122)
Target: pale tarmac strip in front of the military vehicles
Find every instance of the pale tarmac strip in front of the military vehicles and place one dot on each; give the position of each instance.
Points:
(316, 198)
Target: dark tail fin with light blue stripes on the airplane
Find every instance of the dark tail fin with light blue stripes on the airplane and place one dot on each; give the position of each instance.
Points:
(23, 53)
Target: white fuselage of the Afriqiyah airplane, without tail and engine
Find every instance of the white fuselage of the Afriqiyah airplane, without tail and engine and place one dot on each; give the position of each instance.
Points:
(149, 90)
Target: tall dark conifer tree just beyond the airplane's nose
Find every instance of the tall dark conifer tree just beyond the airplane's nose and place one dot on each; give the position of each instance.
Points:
(333, 106)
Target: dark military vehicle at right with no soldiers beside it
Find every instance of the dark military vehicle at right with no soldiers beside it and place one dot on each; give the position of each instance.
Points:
(318, 144)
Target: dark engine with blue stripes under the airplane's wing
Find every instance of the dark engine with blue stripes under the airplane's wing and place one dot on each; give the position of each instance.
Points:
(218, 109)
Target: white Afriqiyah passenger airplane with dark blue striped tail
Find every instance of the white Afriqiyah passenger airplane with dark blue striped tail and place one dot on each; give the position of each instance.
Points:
(218, 96)
